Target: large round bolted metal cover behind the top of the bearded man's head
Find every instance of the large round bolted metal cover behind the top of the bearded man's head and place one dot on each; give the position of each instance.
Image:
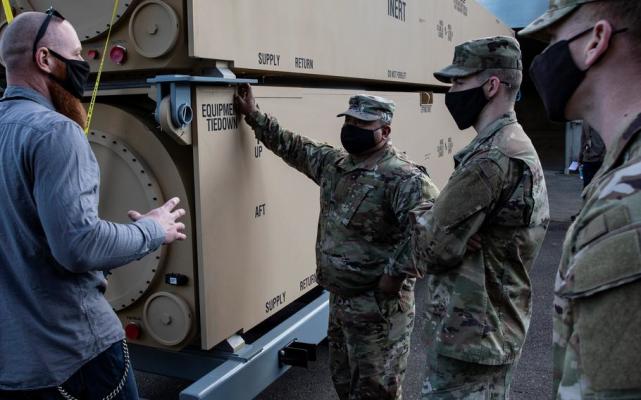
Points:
(90, 18)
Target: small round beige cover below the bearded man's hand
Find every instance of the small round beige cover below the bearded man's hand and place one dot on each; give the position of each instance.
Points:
(167, 318)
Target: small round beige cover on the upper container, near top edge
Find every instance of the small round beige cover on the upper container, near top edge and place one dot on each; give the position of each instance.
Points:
(154, 28)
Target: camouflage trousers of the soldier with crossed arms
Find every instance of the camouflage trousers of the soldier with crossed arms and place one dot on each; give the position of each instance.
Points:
(451, 379)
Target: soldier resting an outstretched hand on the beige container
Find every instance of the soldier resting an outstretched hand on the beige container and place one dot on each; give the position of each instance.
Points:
(362, 252)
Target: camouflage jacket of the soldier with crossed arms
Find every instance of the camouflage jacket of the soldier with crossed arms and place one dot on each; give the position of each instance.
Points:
(480, 302)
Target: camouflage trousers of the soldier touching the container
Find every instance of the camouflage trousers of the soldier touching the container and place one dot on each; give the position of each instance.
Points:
(369, 342)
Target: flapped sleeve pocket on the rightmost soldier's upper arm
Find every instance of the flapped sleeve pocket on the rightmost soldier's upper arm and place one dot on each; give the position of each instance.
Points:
(604, 284)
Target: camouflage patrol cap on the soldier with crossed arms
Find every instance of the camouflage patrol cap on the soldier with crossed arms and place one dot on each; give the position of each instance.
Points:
(501, 52)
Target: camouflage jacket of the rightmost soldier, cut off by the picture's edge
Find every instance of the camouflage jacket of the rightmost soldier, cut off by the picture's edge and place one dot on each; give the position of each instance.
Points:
(598, 286)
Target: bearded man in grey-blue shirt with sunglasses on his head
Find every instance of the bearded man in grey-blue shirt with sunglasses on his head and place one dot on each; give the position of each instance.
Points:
(58, 333)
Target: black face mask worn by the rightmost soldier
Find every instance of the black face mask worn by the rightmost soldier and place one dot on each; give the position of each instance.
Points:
(556, 76)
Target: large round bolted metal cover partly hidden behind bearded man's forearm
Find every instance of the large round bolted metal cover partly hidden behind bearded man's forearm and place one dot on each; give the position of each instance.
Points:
(126, 183)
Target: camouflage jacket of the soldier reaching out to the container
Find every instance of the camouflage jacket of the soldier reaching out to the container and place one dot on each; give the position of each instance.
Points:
(364, 205)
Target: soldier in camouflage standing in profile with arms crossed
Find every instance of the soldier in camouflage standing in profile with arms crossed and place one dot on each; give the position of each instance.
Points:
(478, 241)
